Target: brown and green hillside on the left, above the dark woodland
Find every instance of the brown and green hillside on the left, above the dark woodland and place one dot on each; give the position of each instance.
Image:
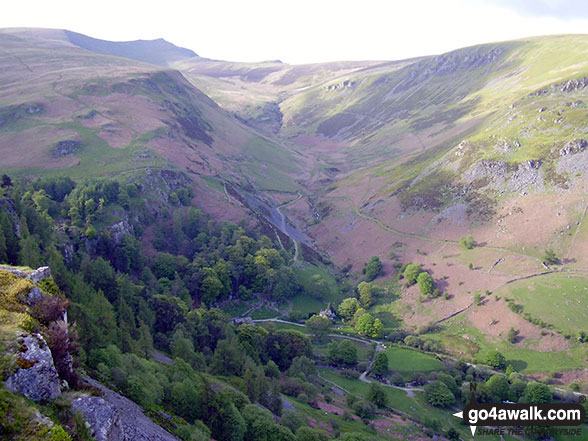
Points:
(141, 110)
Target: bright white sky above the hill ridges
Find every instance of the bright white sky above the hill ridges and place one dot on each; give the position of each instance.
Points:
(306, 31)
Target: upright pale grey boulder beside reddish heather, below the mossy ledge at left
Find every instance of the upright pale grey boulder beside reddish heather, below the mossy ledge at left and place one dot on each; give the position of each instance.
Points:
(36, 377)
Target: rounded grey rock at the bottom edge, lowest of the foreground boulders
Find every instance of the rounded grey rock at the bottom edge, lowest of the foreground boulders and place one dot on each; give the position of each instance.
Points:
(102, 417)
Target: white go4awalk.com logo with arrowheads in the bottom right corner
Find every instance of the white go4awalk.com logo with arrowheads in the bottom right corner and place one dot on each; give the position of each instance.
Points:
(523, 418)
